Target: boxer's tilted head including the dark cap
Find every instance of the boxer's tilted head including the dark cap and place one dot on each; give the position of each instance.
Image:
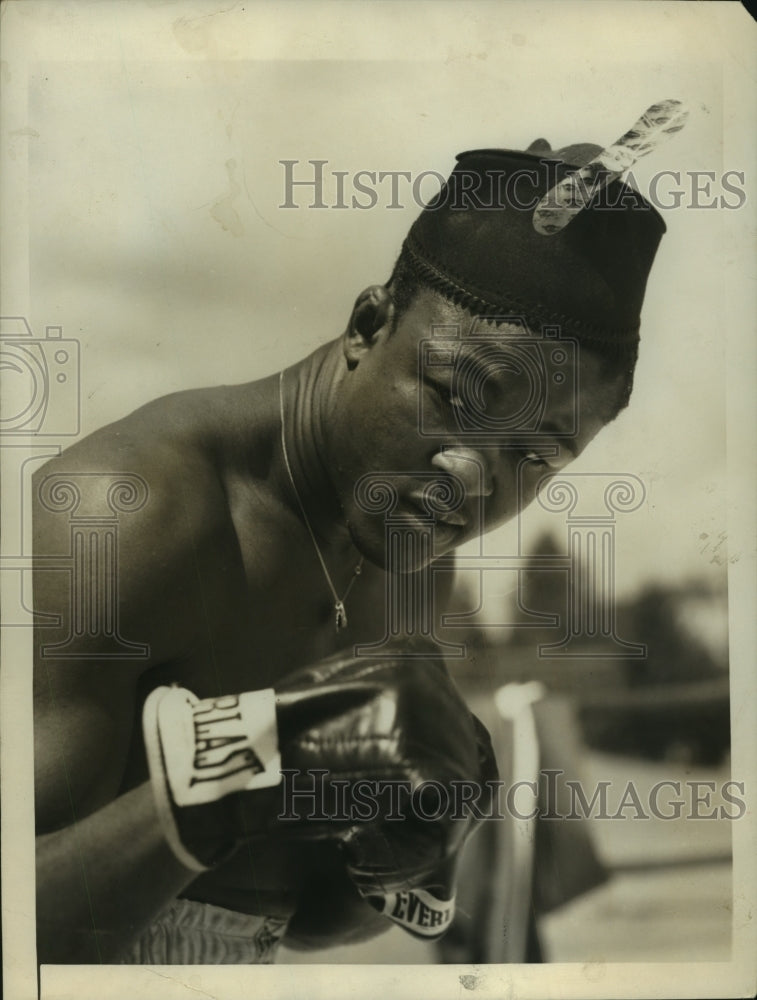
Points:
(494, 354)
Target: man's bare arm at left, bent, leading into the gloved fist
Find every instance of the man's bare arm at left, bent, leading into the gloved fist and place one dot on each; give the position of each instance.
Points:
(104, 870)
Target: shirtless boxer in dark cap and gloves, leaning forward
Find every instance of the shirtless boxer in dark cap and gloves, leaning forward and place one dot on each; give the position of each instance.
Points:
(230, 573)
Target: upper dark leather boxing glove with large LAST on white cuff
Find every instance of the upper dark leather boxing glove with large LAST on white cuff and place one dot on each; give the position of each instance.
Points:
(381, 726)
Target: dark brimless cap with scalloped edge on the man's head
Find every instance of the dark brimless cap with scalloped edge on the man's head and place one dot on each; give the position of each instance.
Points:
(476, 243)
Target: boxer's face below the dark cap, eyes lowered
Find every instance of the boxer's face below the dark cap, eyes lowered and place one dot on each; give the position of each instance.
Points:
(487, 411)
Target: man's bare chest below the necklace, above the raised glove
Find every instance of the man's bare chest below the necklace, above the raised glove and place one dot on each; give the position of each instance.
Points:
(266, 607)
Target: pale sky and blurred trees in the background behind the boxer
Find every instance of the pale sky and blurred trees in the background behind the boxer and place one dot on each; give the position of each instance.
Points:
(158, 241)
